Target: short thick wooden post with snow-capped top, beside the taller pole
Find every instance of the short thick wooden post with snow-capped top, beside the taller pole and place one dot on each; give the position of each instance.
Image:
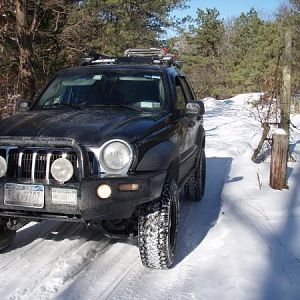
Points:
(278, 171)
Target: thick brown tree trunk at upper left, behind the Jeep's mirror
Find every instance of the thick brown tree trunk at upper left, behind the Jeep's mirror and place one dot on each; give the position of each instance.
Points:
(24, 40)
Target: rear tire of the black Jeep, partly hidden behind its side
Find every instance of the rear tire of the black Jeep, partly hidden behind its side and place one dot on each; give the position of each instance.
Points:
(194, 188)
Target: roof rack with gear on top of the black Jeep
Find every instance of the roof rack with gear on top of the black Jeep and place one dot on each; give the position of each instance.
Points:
(152, 56)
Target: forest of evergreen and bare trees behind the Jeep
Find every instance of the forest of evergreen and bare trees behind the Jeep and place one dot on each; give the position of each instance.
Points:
(222, 57)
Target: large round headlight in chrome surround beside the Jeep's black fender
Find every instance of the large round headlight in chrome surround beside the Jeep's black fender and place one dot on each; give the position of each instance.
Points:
(116, 156)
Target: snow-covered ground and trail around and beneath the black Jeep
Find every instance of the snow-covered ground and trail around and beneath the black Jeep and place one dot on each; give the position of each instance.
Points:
(240, 242)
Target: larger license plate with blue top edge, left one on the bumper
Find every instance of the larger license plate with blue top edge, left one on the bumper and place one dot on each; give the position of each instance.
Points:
(24, 195)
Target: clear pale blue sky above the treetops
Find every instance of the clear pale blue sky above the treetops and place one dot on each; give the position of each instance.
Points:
(230, 8)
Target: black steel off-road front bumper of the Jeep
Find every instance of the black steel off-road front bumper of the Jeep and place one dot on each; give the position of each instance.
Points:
(121, 204)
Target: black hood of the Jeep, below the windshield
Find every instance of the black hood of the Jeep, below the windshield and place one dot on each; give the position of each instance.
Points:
(88, 127)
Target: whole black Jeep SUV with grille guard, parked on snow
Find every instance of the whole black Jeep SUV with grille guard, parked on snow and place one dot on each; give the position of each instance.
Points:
(109, 144)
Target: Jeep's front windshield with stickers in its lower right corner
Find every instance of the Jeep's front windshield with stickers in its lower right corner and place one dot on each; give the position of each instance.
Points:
(136, 90)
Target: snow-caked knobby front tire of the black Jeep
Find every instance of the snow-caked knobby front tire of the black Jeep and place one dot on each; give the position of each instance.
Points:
(157, 229)
